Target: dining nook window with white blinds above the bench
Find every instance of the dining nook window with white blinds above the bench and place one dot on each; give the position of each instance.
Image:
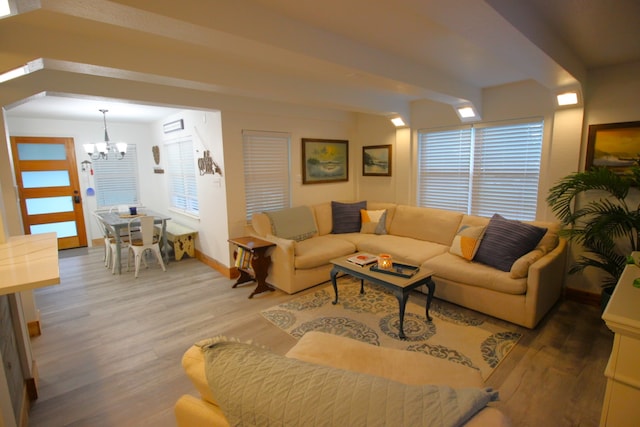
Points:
(181, 176)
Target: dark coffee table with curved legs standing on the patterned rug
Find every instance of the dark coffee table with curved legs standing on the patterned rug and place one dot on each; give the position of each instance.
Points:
(401, 287)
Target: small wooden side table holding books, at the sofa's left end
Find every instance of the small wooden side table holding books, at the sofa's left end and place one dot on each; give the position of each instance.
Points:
(257, 267)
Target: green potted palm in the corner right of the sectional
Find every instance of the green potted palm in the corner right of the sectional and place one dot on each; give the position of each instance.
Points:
(596, 211)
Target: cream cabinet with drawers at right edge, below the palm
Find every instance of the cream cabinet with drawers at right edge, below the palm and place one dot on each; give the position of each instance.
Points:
(622, 397)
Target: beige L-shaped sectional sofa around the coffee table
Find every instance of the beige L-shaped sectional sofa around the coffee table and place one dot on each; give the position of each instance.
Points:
(424, 237)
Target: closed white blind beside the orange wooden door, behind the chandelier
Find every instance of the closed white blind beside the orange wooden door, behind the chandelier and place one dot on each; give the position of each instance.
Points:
(116, 180)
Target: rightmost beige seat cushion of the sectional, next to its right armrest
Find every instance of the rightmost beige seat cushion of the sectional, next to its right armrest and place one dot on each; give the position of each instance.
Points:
(456, 269)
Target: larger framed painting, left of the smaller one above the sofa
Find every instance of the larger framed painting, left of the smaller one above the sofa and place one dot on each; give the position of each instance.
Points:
(324, 160)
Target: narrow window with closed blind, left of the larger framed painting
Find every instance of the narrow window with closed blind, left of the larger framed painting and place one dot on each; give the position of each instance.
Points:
(266, 171)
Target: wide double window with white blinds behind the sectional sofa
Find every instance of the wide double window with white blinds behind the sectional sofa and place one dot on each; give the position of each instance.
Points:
(481, 170)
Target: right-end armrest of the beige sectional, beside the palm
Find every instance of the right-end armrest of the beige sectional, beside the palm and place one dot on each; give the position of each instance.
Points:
(545, 283)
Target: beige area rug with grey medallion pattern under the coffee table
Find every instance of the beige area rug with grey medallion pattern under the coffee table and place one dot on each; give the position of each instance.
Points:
(456, 334)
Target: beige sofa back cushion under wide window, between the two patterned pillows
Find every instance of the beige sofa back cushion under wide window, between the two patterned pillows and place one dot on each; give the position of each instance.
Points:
(433, 225)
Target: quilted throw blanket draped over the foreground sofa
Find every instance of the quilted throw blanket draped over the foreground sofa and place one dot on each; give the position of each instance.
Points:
(255, 387)
